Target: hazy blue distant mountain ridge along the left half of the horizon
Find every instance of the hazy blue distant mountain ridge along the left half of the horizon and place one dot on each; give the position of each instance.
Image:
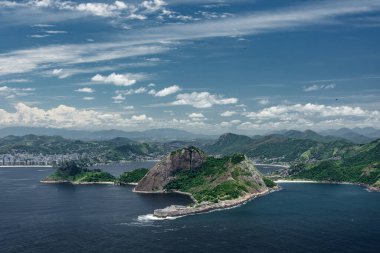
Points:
(162, 134)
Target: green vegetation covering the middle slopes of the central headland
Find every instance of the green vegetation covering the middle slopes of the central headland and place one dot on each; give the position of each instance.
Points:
(217, 179)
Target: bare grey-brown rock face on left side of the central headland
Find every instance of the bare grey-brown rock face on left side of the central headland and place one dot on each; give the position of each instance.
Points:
(163, 172)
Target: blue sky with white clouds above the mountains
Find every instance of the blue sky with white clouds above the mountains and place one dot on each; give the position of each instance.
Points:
(244, 66)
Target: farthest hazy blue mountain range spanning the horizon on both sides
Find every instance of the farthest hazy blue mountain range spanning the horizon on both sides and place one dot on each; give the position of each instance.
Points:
(355, 135)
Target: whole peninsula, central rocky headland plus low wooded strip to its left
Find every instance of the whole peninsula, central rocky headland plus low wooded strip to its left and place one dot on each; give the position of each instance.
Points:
(212, 183)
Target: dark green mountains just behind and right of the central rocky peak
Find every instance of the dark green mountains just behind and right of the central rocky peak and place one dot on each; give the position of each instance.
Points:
(286, 147)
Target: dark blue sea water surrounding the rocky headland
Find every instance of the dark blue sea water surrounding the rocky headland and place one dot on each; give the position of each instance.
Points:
(36, 217)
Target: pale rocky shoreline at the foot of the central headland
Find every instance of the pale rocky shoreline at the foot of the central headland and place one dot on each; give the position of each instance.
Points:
(175, 211)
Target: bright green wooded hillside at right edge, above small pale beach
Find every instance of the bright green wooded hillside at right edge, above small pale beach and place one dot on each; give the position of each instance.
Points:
(359, 165)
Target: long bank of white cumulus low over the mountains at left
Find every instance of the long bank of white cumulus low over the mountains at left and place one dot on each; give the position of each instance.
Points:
(64, 116)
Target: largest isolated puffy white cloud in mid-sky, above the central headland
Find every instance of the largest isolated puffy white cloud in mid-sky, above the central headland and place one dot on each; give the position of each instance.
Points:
(202, 100)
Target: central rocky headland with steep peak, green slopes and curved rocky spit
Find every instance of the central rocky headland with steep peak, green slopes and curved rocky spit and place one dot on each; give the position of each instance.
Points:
(212, 183)
